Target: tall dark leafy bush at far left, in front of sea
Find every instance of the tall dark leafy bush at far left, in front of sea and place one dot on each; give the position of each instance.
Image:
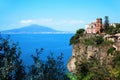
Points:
(11, 67)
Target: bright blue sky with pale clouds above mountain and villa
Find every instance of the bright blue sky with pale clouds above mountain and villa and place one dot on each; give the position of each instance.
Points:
(64, 15)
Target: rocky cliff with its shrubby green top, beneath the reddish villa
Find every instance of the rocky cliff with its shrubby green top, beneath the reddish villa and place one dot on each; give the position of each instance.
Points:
(91, 45)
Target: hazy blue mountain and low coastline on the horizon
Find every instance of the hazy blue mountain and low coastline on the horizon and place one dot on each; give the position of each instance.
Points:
(35, 29)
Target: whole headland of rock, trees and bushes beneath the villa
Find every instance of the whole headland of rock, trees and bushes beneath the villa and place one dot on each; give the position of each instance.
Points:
(95, 56)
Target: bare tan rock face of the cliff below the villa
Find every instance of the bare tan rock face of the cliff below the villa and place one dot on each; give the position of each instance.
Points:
(81, 51)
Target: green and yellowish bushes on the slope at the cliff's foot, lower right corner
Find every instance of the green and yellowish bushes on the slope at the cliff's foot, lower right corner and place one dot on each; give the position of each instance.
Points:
(94, 69)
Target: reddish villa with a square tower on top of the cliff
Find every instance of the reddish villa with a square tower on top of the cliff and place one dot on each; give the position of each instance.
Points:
(94, 27)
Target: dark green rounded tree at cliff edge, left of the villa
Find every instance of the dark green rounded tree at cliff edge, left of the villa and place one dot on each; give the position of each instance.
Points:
(75, 39)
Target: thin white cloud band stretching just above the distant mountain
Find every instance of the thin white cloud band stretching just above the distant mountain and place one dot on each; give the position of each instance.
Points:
(51, 21)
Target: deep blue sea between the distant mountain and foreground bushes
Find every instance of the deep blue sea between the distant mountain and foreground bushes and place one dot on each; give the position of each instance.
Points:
(55, 43)
